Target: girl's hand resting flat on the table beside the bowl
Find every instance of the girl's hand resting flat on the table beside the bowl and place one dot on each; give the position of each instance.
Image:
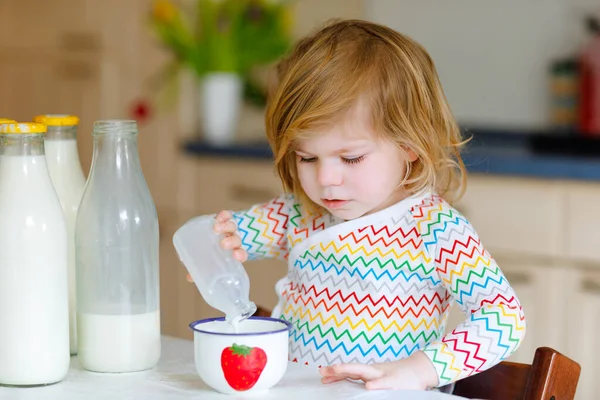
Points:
(413, 373)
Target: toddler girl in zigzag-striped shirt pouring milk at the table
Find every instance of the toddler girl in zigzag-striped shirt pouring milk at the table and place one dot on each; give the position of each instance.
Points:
(367, 150)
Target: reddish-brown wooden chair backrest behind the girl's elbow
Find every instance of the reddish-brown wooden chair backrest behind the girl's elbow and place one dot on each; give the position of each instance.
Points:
(551, 376)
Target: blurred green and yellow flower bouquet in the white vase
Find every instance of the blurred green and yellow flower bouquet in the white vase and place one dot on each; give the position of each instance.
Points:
(235, 36)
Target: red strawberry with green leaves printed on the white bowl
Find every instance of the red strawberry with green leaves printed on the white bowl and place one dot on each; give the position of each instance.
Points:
(242, 365)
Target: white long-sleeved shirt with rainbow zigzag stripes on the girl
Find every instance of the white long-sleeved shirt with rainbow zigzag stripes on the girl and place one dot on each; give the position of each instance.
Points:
(380, 287)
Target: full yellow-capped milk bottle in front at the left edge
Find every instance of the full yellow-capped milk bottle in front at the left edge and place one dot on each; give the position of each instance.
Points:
(34, 311)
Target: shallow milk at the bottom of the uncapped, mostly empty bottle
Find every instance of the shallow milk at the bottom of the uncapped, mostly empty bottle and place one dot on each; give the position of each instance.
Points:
(119, 343)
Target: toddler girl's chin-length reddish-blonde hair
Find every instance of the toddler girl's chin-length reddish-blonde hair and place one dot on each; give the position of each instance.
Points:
(327, 73)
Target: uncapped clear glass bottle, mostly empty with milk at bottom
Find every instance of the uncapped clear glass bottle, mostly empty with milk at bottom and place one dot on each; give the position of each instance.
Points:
(116, 236)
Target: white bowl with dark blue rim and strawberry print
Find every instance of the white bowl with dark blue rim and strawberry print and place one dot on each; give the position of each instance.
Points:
(252, 360)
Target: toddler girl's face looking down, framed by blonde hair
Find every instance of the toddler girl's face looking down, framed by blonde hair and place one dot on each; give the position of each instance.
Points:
(350, 173)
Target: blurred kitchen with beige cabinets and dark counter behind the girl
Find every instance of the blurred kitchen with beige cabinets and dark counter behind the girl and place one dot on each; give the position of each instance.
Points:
(510, 75)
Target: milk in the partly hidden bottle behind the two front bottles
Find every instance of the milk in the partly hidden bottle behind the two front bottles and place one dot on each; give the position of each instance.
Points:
(68, 179)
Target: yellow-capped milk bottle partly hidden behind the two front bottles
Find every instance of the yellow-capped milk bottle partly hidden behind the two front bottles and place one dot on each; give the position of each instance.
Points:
(64, 166)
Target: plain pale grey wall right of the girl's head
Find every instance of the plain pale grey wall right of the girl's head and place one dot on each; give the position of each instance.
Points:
(492, 56)
